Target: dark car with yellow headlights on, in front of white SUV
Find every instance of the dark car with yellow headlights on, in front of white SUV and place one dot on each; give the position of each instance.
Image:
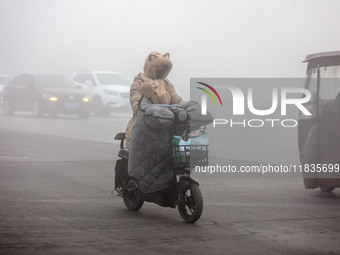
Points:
(42, 94)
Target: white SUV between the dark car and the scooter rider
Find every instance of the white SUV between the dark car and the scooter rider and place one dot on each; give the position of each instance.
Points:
(110, 90)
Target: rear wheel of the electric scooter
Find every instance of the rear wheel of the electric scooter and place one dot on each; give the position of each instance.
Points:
(131, 196)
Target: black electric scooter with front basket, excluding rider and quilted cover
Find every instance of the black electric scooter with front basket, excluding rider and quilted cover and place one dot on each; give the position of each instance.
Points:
(184, 193)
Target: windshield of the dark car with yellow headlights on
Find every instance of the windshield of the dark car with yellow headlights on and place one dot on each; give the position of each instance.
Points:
(47, 81)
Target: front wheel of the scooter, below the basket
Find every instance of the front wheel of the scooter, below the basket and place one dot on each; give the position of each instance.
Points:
(191, 205)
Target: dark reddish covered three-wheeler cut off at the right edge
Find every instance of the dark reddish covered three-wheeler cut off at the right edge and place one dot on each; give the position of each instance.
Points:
(319, 135)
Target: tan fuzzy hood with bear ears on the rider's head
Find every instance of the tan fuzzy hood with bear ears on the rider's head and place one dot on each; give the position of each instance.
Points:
(157, 66)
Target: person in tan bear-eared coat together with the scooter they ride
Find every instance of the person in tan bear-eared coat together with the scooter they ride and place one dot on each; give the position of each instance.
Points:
(154, 168)
